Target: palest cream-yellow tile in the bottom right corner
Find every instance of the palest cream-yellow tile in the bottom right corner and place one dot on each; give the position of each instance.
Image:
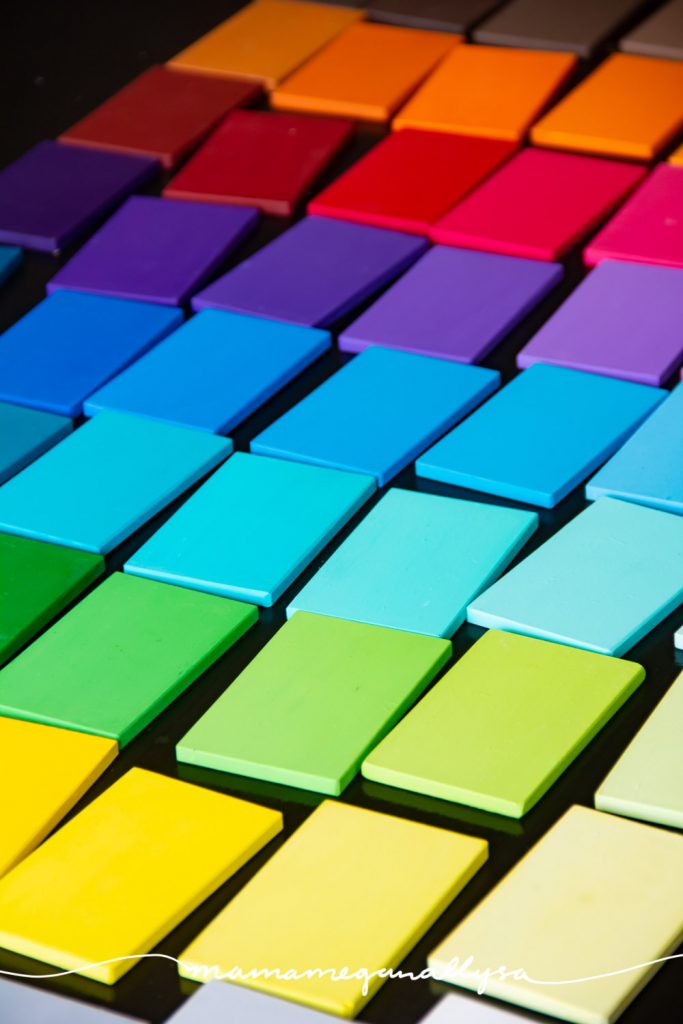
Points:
(594, 897)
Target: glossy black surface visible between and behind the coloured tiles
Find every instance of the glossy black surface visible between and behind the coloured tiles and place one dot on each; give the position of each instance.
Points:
(60, 61)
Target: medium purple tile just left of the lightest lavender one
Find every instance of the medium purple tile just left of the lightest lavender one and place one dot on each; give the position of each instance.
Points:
(454, 304)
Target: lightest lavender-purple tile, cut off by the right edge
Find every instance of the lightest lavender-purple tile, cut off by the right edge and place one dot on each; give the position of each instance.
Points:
(625, 320)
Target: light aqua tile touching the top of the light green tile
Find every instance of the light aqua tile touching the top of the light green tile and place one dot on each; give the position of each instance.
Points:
(457, 549)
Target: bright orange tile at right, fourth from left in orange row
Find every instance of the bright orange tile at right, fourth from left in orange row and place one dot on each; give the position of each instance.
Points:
(629, 107)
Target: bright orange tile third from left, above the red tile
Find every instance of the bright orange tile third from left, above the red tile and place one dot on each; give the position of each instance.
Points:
(488, 91)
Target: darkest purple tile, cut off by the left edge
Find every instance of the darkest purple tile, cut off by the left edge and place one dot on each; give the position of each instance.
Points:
(55, 193)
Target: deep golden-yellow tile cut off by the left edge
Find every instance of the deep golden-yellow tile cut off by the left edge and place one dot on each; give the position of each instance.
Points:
(51, 771)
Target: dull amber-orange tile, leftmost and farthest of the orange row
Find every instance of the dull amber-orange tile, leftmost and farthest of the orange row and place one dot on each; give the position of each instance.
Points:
(267, 40)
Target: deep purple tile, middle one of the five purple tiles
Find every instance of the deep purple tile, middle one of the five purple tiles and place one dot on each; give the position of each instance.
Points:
(315, 273)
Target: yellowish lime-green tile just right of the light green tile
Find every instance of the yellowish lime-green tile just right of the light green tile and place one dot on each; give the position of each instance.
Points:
(498, 699)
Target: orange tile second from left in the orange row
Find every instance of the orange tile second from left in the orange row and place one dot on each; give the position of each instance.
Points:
(367, 73)
